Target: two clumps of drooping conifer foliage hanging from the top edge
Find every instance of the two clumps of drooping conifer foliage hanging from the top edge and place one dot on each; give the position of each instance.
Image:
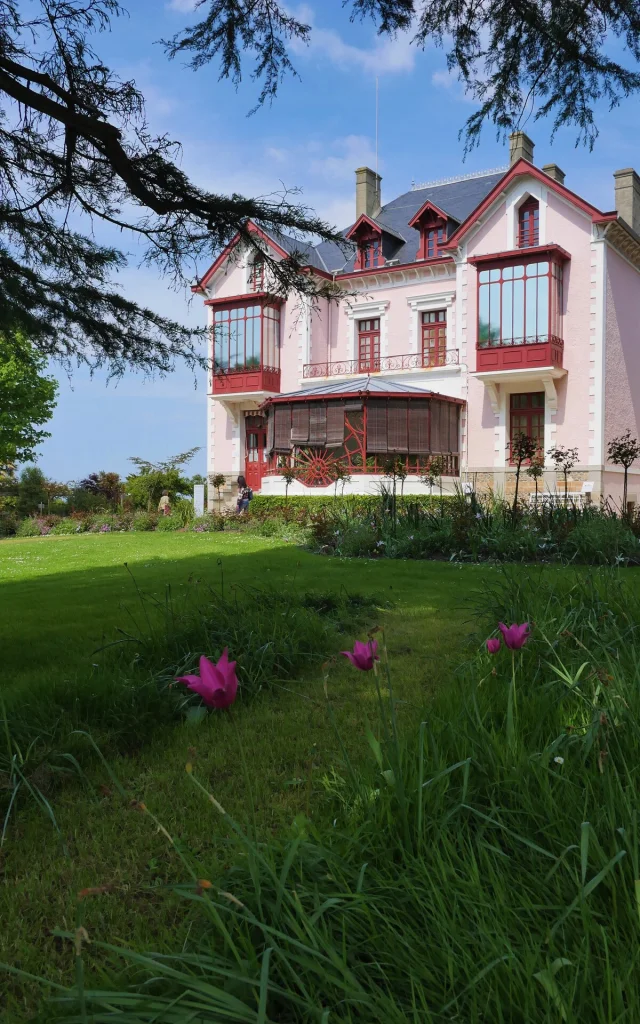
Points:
(553, 59)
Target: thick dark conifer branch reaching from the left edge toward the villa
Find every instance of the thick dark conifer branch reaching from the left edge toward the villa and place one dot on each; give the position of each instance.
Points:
(76, 149)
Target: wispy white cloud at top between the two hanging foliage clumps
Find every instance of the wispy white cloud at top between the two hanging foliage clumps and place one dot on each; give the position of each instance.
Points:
(388, 56)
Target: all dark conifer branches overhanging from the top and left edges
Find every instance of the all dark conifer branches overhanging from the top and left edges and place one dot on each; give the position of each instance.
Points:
(76, 148)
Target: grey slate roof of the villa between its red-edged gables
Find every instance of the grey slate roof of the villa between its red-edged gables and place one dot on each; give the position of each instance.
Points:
(457, 199)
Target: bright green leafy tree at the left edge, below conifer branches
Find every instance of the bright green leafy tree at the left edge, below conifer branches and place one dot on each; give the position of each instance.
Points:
(27, 400)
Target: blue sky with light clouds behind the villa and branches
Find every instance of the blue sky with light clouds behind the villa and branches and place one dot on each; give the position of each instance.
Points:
(319, 131)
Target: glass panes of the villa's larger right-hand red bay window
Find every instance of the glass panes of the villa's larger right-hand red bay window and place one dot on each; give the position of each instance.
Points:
(520, 305)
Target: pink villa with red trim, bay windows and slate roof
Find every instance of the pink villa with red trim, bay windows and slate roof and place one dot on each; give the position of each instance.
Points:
(475, 310)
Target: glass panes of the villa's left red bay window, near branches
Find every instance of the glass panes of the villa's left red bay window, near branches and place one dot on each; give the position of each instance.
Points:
(245, 338)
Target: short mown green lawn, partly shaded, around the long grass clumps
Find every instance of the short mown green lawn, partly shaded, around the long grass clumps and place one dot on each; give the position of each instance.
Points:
(60, 601)
